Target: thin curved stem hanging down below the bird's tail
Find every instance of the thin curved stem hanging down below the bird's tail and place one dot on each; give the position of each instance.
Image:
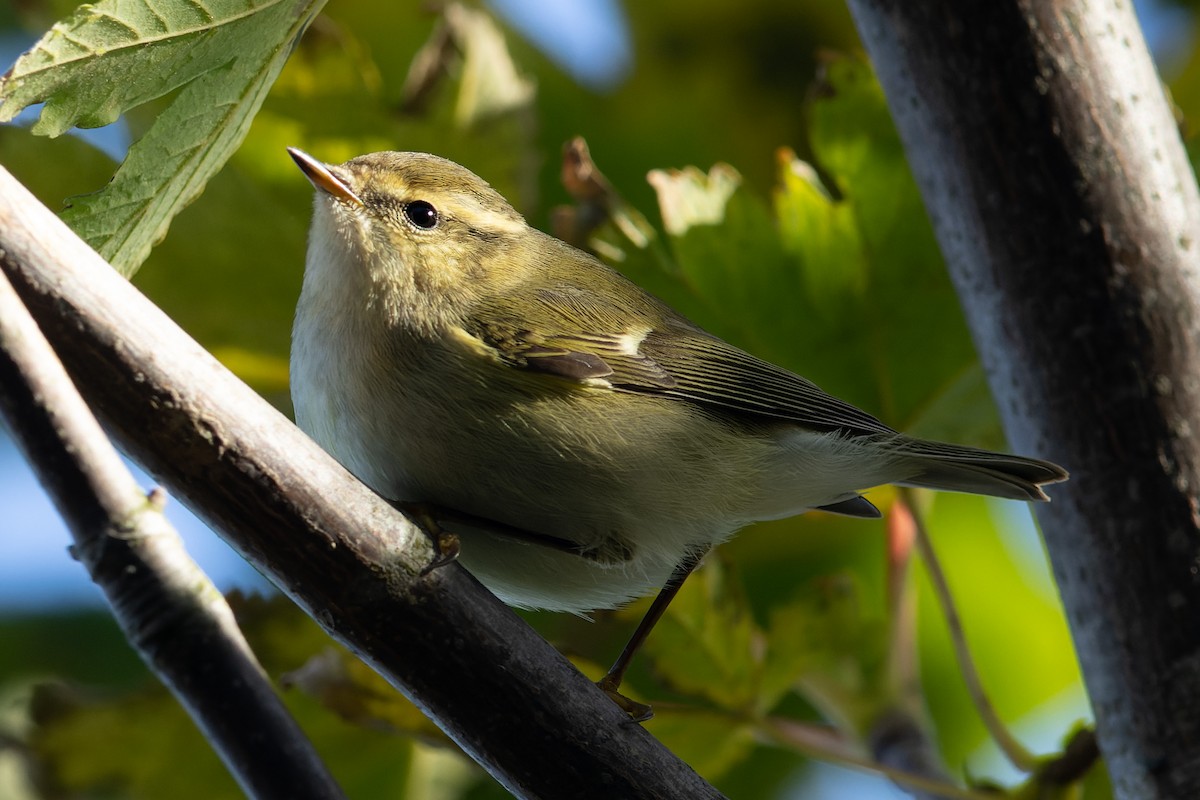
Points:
(1009, 744)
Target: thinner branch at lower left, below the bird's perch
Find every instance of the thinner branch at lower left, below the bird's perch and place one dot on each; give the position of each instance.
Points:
(169, 609)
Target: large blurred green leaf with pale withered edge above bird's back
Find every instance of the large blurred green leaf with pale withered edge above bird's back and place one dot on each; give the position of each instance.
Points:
(844, 286)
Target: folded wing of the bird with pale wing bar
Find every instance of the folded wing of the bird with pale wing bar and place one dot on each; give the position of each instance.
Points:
(682, 363)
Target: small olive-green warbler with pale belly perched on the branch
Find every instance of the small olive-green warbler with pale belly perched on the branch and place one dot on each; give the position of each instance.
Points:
(458, 360)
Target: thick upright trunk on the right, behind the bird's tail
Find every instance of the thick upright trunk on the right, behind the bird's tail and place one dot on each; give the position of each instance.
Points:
(1069, 214)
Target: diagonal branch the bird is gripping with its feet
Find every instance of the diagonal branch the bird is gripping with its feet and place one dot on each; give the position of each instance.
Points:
(341, 552)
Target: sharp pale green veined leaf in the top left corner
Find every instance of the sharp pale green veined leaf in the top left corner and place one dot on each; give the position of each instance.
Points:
(116, 56)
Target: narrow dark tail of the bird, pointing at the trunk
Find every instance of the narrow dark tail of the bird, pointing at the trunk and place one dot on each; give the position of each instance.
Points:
(957, 468)
